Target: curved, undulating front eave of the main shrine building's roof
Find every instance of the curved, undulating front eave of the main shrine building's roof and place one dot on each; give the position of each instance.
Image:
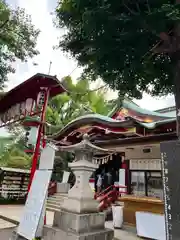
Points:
(91, 121)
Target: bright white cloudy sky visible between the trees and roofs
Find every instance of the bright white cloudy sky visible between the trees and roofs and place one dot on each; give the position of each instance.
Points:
(62, 65)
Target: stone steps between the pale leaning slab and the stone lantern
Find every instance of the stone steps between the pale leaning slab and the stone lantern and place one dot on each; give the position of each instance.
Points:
(54, 202)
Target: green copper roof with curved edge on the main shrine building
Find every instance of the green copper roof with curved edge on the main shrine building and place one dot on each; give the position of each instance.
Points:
(109, 122)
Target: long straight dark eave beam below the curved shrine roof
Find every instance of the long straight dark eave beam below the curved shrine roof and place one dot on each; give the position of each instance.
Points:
(137, 140)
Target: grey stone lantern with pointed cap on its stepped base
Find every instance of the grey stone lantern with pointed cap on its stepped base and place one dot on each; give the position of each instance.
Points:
(78, 217)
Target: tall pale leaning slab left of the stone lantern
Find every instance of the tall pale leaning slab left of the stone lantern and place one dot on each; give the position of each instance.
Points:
(32, 219)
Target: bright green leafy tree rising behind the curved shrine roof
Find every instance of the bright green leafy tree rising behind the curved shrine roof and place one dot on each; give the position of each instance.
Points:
(78, 101)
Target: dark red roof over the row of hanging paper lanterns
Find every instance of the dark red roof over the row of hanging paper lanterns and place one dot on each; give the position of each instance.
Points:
(29, 89)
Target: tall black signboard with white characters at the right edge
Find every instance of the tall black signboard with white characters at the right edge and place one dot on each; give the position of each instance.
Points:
(170, 159)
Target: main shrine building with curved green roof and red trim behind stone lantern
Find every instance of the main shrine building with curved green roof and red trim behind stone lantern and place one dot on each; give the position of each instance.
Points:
(135, 135)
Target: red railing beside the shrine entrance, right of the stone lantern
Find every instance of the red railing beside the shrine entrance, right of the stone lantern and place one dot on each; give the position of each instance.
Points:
(109, 196)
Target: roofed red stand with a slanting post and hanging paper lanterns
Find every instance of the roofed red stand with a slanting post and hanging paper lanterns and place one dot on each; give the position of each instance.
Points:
(29, 99)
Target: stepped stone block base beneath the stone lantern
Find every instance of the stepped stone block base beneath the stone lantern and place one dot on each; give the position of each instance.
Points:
(72, 226)
